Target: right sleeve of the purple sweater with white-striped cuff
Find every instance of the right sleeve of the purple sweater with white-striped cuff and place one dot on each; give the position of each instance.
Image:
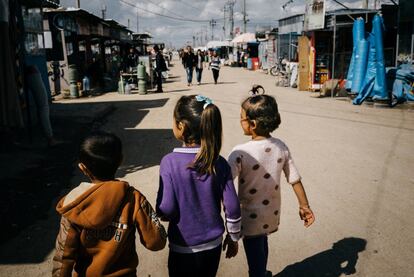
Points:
(231, 208)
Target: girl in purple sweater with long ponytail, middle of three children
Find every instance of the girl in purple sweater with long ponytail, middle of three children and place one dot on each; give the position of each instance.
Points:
(194, 183)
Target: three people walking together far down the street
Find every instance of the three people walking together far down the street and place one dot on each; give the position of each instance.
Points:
(198, 62)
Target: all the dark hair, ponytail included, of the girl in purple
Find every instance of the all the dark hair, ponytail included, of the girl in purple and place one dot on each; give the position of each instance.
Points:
(203, 126)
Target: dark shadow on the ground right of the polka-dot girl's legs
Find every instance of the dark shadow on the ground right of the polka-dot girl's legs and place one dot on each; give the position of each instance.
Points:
(340, 259)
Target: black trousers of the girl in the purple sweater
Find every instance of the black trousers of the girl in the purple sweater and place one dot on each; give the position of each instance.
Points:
(200, 264)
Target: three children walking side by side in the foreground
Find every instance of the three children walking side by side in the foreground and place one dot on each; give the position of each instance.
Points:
(100, 217)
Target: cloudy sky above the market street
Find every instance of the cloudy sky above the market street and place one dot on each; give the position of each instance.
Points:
(167, 21)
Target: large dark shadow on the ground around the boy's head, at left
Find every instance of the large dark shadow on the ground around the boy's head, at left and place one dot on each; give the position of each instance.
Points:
(40, 176)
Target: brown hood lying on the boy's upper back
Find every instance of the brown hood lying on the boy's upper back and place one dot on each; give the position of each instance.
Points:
(97, 207)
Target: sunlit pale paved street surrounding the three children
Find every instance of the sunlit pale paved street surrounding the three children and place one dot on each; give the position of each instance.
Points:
(356, 162)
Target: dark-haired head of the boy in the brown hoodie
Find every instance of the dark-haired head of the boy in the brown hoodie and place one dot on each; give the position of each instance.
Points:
(101, 153)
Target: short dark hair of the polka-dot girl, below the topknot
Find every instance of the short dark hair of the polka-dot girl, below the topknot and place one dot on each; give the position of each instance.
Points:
(263, 109)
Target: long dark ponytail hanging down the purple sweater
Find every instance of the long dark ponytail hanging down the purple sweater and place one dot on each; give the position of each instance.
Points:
(210, 140)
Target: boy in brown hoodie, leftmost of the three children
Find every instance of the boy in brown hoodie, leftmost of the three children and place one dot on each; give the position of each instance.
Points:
(99, 219)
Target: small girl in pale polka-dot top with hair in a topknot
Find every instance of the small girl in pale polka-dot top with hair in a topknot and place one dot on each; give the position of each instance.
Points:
(258, 164)
